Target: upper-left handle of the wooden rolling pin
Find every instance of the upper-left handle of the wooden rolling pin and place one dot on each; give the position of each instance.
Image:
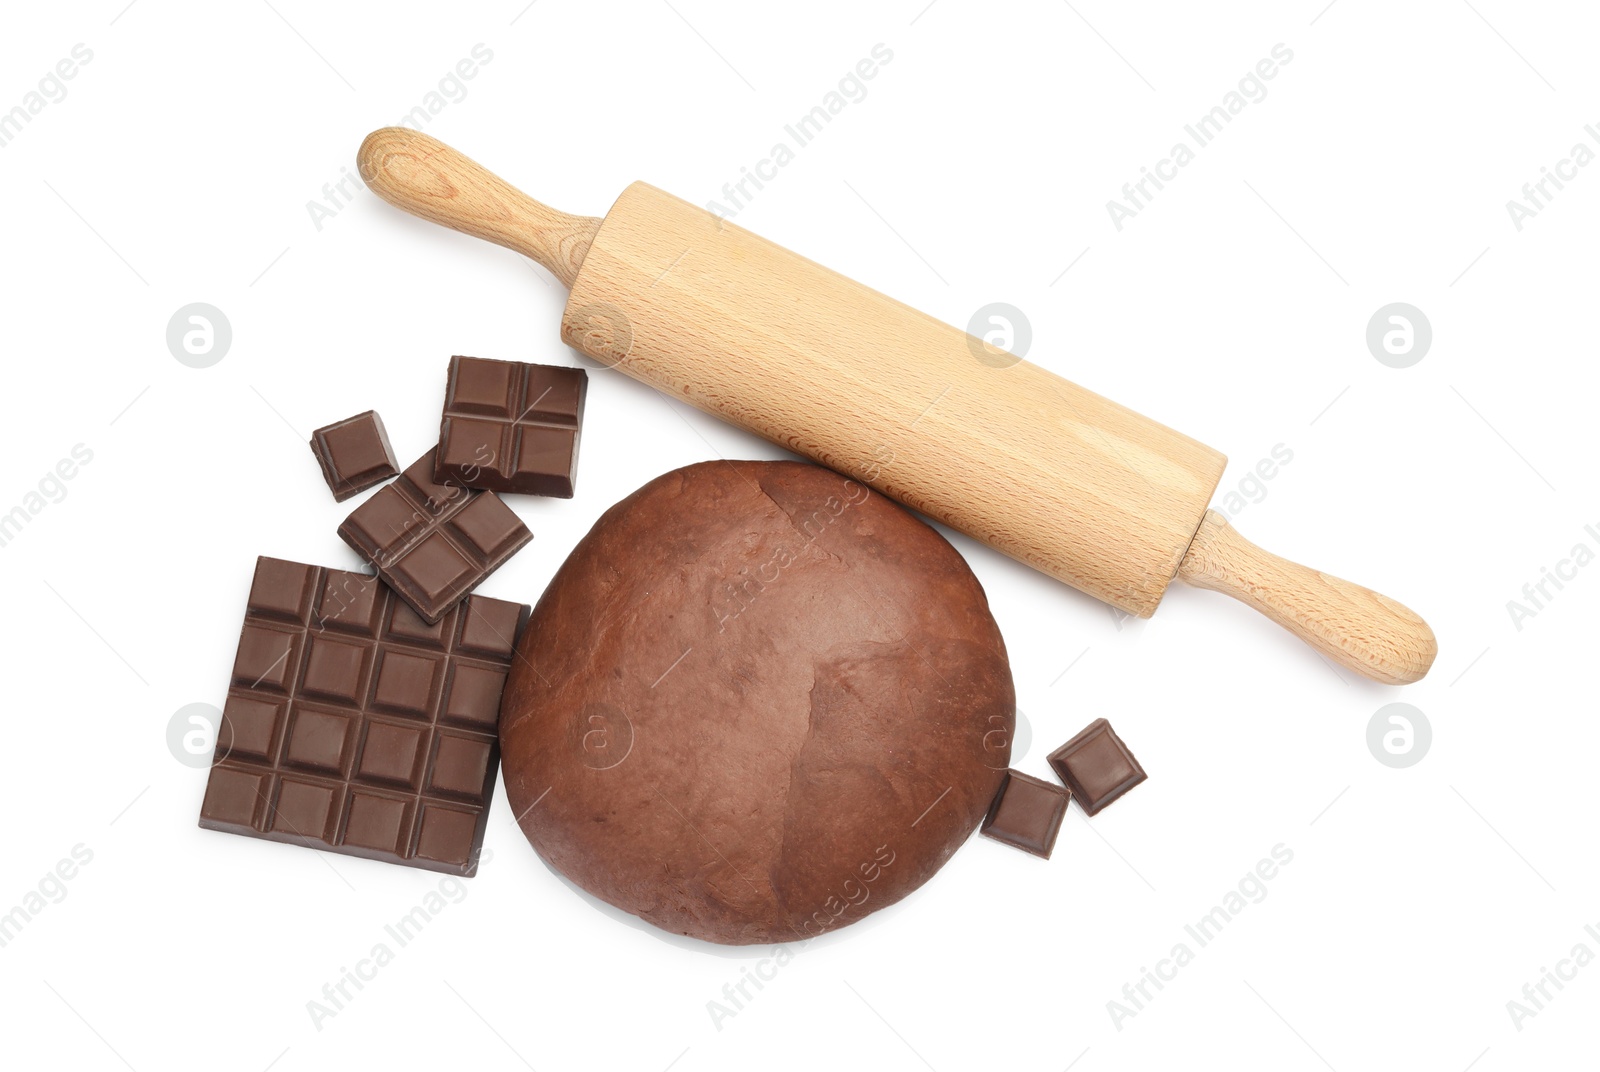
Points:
(428, 178)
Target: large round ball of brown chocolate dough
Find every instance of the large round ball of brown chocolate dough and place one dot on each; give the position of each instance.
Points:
(758, 703)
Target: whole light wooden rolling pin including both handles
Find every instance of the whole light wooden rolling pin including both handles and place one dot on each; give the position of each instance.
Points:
(1052, 474)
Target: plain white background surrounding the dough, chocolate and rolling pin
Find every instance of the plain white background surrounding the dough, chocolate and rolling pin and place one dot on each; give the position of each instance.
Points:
(1420, 902)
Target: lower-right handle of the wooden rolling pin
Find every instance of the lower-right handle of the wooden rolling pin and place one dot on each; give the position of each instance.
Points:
(1356, 628)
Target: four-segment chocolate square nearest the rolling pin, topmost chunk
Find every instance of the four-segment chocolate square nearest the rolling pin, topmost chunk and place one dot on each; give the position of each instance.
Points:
(511, 426)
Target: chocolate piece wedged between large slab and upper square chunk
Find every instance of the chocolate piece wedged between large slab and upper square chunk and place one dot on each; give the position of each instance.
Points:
(434, 543)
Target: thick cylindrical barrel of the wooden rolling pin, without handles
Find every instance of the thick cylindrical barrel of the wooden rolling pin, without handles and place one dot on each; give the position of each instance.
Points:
(1036, 466)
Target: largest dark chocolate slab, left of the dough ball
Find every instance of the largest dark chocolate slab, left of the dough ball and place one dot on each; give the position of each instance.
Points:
(356, 727)
